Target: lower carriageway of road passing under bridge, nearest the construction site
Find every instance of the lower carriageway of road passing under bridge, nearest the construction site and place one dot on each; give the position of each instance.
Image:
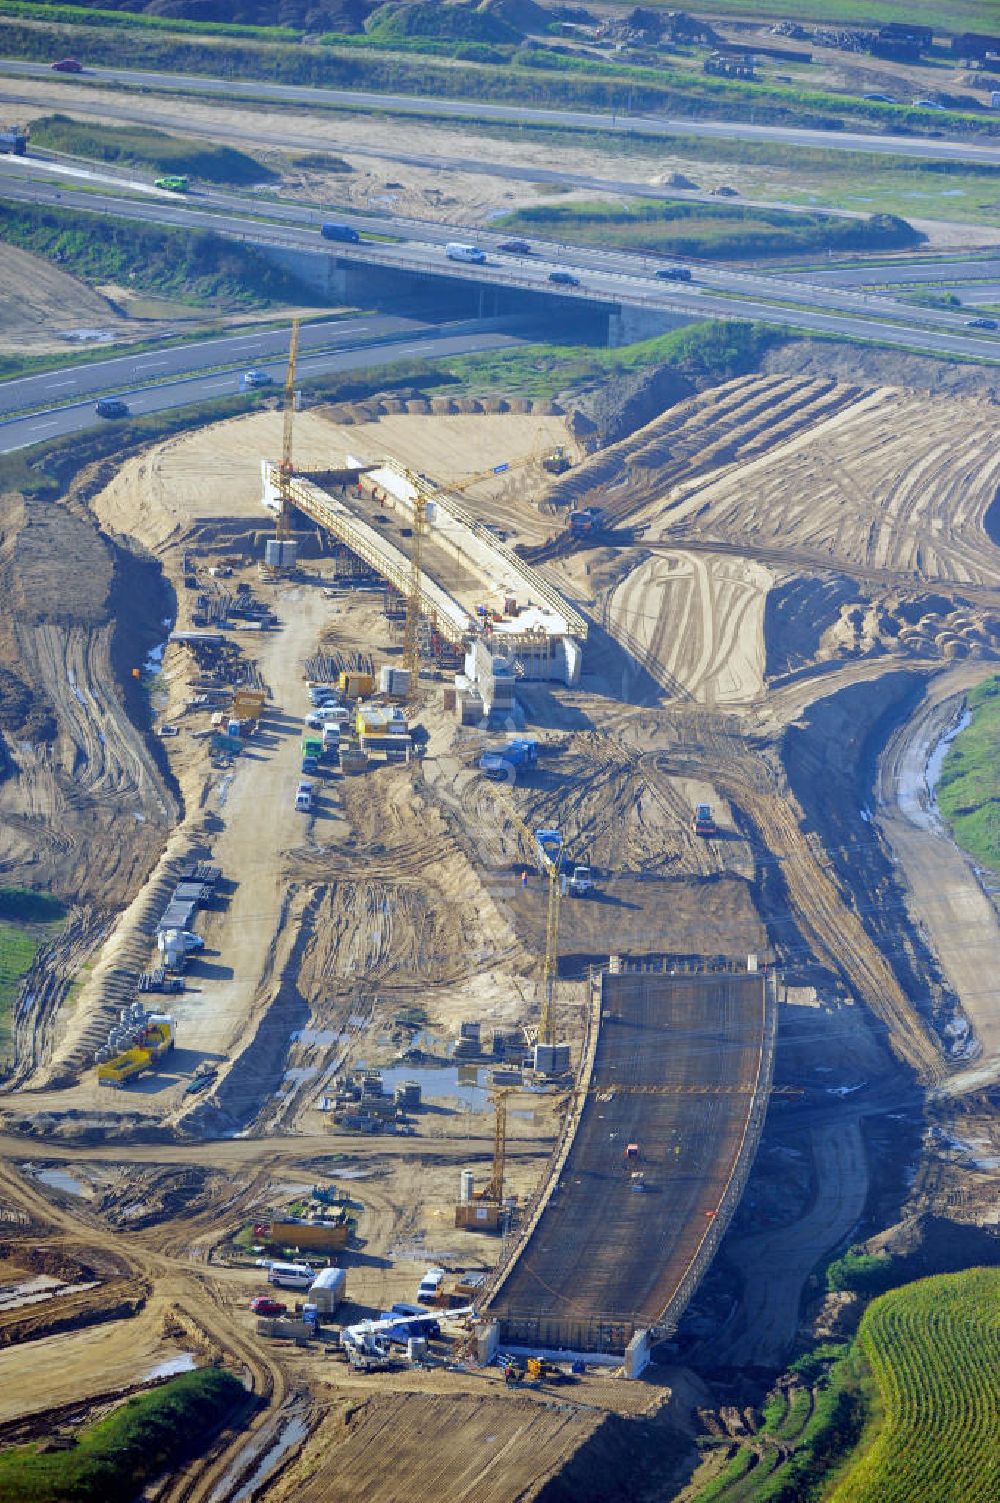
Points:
(64, 417)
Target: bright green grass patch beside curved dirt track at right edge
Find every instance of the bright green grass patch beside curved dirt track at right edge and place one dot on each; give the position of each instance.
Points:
(969, 788)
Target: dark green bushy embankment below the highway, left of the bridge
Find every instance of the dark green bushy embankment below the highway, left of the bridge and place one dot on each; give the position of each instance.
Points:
(192, 265)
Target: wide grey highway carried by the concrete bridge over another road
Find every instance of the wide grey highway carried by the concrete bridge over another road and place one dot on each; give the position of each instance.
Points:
(607, 276)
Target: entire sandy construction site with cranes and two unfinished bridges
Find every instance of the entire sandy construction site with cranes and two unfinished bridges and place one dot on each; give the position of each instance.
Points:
(492, 915)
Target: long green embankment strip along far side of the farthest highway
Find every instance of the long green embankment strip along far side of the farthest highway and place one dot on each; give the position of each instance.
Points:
(533, 76)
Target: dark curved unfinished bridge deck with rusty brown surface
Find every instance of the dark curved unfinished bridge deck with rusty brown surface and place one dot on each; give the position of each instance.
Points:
(682, 1071)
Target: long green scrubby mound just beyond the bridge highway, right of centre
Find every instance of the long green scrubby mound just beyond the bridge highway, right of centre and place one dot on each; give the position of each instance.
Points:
(706, 231)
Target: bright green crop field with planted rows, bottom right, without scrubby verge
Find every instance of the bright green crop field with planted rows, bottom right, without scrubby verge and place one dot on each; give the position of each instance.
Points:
(935, 1436)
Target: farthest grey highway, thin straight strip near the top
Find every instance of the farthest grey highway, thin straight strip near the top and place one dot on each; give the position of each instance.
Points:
(235, 91)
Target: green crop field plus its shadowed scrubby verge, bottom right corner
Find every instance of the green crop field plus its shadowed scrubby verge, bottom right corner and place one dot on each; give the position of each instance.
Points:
(906, 1414)
